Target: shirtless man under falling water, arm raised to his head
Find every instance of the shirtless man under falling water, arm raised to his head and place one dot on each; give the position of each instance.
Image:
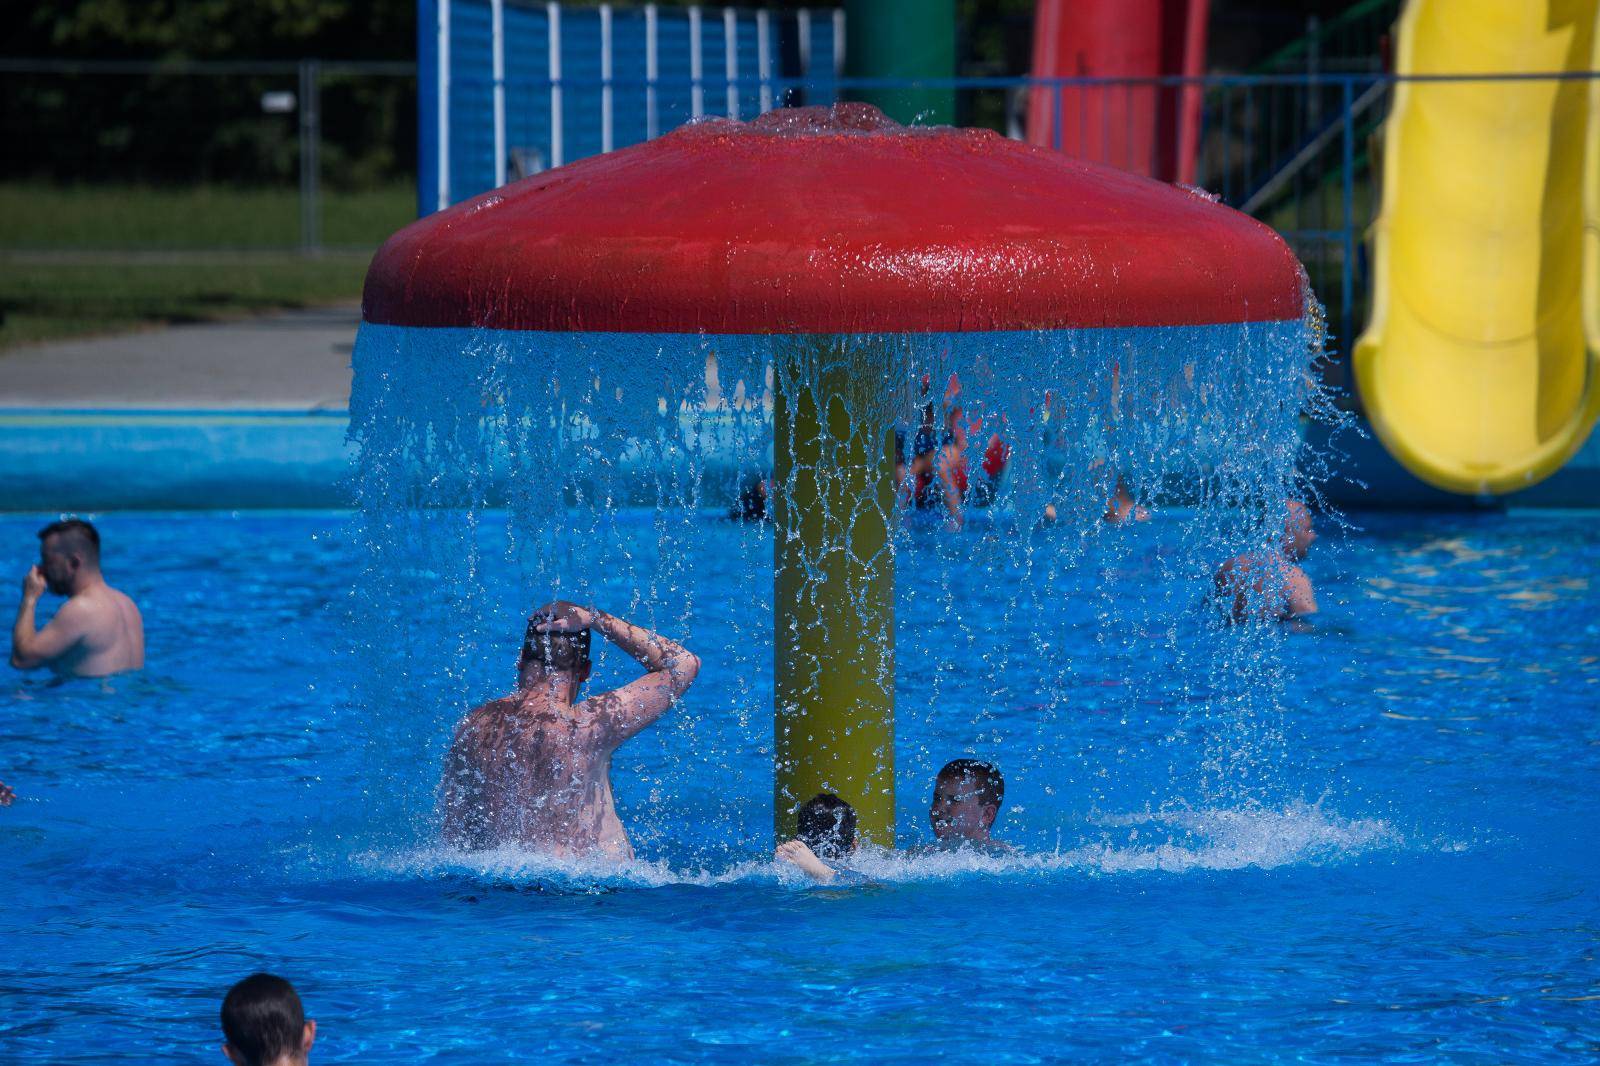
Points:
(534, 769)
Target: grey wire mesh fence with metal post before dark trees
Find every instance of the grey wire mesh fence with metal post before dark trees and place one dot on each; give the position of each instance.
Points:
(306, 156)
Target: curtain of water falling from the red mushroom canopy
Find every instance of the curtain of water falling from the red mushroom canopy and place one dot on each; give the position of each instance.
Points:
(500, 470)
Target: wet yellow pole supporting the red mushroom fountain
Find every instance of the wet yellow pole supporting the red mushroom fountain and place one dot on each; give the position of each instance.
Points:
(834, 587)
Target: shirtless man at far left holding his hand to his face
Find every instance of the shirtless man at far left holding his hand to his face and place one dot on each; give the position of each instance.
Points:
(98, 631)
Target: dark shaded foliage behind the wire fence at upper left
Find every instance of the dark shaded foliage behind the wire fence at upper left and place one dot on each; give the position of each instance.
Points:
(204, 127)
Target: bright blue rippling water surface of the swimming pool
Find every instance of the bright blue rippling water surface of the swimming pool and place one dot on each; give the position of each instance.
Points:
(1399, 864)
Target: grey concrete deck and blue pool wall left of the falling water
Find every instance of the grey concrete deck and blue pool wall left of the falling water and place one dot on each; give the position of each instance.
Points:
(231, 415)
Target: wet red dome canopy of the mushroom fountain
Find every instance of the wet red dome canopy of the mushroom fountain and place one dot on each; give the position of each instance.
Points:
(833, 222)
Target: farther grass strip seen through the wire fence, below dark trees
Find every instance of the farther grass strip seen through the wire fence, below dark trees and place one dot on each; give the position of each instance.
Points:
(38, 217)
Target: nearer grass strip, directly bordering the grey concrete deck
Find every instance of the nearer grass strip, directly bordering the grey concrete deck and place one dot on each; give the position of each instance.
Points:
(46, 299)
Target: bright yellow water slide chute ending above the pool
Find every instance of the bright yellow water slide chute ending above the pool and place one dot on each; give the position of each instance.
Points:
(1481, 366)
